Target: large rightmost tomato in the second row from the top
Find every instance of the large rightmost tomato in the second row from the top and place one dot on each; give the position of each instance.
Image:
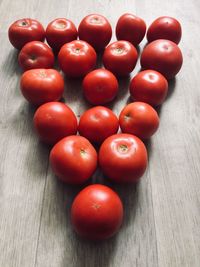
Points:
(164, 56)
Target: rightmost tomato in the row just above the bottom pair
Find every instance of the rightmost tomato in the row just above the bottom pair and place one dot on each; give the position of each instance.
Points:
(140, 119)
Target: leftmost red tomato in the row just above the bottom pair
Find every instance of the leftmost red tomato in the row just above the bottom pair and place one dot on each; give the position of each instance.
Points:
(54, 121)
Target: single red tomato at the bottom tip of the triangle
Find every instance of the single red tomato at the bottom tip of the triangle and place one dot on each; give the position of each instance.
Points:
(97, 212)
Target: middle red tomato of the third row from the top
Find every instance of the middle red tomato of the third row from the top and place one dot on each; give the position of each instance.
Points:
(100, 87)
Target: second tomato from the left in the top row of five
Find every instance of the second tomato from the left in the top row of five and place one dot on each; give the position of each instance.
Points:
(59, 32)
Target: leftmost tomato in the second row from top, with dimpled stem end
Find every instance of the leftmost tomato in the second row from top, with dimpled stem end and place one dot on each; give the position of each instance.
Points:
(36, 55)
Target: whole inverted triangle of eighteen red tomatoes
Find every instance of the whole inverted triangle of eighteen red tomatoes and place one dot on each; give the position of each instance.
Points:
(97, 211)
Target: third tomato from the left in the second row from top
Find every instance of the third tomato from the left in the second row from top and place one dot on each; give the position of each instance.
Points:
(120, 58)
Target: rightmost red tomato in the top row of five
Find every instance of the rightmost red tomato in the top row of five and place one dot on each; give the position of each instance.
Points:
(165, 28)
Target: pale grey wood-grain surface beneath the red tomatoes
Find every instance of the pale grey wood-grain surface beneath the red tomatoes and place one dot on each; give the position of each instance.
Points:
(162, 213)
